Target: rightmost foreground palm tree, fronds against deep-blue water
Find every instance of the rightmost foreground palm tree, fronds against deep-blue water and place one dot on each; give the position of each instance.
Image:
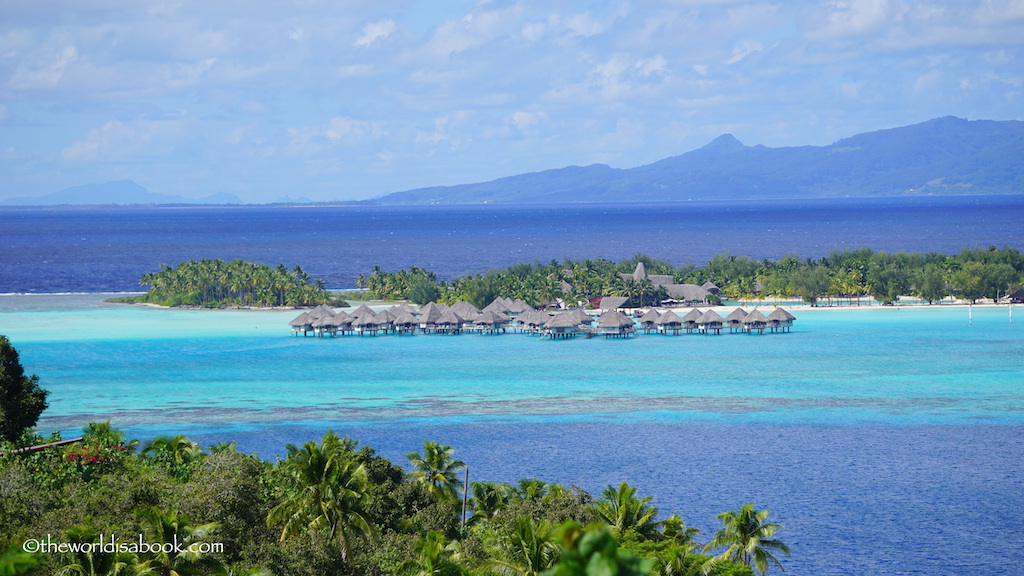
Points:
(749, 539)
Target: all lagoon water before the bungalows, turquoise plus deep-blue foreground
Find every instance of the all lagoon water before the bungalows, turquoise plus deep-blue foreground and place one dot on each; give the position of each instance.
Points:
(887, 441)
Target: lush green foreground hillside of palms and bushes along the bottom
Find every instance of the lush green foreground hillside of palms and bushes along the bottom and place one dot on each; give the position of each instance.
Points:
(332, 507)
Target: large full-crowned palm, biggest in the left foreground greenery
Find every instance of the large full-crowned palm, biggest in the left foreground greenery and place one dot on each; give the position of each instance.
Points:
(326, 489)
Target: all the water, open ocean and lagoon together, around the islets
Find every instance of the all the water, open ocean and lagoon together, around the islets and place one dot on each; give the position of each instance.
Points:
(886, 441)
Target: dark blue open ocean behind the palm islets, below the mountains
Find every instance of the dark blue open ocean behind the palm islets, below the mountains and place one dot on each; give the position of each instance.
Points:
(108, 250)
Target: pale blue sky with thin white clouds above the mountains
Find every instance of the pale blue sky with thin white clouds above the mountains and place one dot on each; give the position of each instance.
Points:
(342, 100)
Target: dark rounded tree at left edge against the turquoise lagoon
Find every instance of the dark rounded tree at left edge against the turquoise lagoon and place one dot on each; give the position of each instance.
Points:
(22, 399)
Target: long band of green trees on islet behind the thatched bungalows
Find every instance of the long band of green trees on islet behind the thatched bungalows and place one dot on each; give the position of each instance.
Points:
(972, 275)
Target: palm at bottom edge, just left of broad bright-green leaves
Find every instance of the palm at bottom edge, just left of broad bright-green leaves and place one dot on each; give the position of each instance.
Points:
(528, 550)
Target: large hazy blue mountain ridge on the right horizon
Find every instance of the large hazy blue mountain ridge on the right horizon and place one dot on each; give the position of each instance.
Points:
(944, 156)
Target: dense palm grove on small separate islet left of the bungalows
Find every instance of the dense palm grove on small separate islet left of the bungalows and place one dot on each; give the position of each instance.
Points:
(218, 284)
